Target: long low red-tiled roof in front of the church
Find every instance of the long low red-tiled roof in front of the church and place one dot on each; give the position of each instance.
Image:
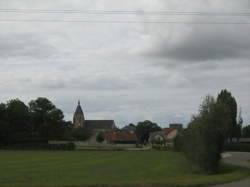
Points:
(111, 137)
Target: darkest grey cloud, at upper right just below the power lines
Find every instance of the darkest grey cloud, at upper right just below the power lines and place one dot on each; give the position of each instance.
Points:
(206, 43)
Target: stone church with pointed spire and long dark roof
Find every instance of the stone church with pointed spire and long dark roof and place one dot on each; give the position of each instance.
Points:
(95, 125)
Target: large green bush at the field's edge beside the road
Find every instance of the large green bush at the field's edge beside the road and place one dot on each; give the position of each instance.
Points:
(202, 141)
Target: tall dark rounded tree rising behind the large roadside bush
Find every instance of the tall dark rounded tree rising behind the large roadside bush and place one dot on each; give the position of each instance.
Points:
(225, 98)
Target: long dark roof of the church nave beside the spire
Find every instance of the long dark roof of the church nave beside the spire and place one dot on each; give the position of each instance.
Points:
(100, 124)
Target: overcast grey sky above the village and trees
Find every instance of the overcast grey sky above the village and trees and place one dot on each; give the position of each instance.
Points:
(125, 71)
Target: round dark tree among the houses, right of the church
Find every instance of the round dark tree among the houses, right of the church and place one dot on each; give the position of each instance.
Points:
(143, 129)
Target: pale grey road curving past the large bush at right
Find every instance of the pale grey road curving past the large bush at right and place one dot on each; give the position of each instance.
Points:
(240, 159)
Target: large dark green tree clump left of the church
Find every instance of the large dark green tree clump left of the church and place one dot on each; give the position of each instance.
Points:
(40, 120)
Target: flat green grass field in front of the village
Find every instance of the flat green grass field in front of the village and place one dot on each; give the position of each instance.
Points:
(80, 168)
